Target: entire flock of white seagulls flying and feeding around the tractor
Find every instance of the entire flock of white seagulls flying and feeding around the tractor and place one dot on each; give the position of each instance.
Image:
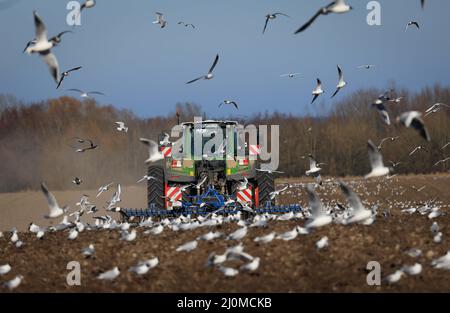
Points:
(315, 216)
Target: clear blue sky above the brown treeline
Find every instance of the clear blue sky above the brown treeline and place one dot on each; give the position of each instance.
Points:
(144, 68)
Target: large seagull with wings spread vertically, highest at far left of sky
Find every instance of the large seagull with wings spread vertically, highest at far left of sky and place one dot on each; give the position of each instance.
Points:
(43, 46)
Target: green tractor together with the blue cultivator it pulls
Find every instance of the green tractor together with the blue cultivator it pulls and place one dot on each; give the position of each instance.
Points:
(211, 168)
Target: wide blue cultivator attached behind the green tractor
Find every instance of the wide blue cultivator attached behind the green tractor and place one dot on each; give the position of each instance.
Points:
(210, 201)
